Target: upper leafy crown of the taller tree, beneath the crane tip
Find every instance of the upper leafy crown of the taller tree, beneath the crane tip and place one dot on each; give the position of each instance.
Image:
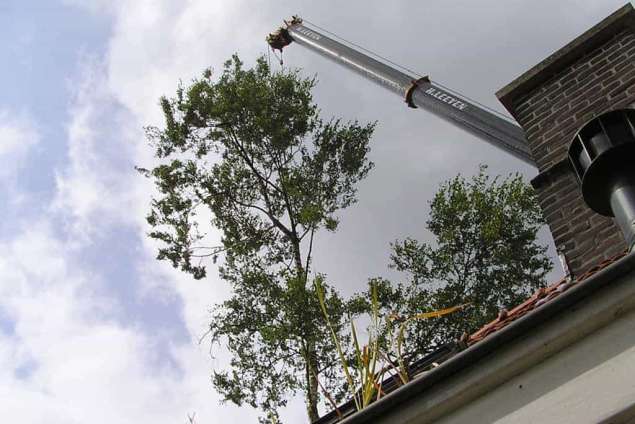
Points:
(252, 150)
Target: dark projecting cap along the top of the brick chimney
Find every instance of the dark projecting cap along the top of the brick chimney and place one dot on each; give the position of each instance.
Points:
(621, 19)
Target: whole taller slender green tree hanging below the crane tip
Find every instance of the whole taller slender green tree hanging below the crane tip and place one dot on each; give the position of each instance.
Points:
(250, 154)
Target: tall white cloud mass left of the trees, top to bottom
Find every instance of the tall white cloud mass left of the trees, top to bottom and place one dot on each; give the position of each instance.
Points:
(71, 357)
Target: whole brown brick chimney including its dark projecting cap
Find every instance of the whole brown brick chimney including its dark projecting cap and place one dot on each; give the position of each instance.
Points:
(593, 74)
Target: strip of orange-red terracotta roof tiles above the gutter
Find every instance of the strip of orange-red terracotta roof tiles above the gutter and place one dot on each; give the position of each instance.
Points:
(539, 298)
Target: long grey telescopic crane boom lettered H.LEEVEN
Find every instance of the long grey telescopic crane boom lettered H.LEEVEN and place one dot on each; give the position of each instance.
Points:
(418, 92)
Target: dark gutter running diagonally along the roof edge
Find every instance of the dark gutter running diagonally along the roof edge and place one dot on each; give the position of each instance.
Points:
(469, 357)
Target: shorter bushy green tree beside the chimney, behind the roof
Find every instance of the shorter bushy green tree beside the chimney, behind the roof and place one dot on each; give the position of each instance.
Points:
(484, 252)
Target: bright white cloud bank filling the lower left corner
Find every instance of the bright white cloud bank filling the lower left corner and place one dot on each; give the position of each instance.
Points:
(78, 364)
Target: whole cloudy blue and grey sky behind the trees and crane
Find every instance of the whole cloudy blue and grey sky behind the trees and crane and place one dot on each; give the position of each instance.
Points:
(92, 327)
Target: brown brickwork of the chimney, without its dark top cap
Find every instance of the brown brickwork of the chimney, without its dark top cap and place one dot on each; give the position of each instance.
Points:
(551, 113)
